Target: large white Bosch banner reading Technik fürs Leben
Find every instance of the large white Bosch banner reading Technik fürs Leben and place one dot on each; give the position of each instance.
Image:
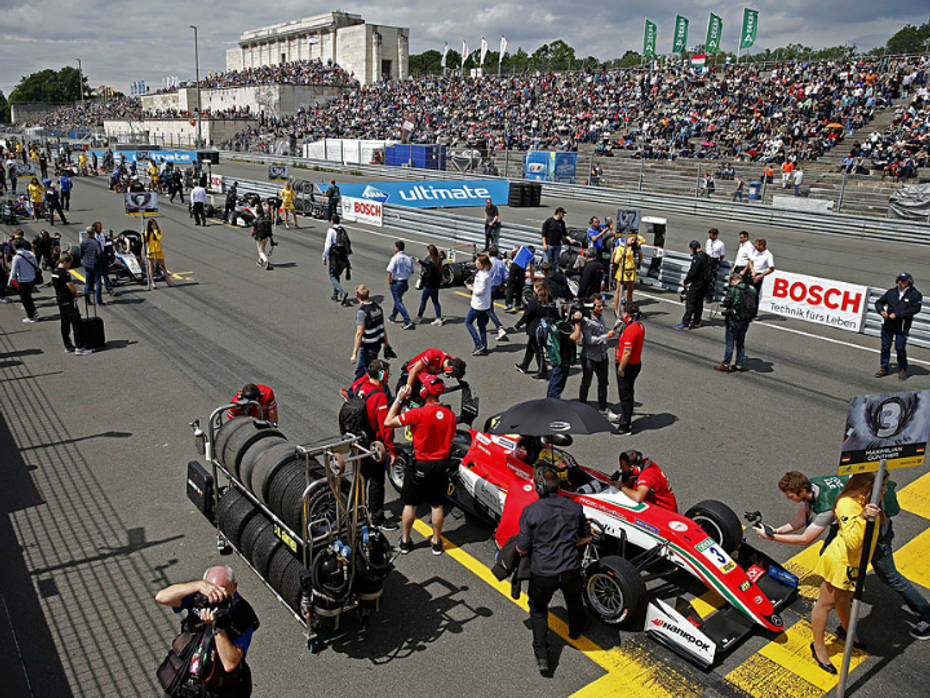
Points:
(824, 301)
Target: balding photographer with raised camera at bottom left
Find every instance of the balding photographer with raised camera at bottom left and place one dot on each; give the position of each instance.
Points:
(227, 621)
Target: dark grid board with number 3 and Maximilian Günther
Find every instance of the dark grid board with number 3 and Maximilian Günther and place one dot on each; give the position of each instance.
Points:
(892, 426)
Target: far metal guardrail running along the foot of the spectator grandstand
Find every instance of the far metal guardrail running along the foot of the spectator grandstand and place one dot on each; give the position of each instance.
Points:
(748, 213)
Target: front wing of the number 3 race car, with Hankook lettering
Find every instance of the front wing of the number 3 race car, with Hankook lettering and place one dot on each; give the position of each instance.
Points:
(704, 641)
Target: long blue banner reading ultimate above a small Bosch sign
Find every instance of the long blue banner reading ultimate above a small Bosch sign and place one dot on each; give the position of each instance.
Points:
(430, 193)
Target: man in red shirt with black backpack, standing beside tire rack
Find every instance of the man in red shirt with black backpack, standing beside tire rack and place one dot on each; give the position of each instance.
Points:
(373, 388)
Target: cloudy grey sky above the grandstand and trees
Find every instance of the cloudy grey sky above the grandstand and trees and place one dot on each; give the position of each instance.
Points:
(119, 42)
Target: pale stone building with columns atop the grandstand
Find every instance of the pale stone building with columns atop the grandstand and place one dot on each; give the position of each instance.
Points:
(371, 51)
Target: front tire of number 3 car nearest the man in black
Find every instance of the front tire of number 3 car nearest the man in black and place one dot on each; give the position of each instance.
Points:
(614, 589)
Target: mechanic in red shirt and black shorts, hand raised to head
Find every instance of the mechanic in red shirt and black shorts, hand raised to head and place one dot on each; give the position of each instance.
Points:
(432, 428)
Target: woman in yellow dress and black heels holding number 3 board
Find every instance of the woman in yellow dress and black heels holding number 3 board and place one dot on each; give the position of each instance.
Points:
(839, 563)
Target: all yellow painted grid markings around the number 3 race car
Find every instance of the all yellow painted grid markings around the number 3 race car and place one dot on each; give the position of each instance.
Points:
(783, 668)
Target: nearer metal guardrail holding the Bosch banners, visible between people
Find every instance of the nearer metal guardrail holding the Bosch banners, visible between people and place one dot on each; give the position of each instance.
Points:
(464, 230)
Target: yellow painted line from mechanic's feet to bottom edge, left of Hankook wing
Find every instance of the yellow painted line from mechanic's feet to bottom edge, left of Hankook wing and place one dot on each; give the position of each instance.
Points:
(636, 676)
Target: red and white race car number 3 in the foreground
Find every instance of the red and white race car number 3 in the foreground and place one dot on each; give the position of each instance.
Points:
(633, 543)
